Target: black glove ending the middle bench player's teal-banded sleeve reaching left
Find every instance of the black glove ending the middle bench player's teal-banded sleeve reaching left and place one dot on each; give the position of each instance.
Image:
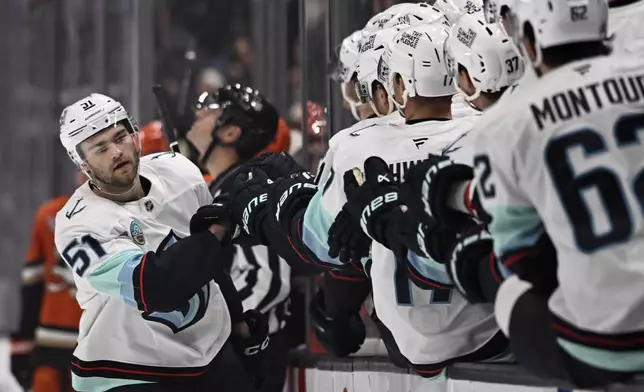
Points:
(290, 195)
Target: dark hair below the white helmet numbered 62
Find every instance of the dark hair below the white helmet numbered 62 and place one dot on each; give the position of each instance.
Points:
(559, 55)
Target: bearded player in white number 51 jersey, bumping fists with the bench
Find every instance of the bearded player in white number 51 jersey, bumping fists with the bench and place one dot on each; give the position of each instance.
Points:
(157, 308)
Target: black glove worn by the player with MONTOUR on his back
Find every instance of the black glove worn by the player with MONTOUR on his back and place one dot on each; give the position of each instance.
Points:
(473, 248)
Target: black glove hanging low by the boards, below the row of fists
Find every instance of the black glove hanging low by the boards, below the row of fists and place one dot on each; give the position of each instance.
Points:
(340, 335)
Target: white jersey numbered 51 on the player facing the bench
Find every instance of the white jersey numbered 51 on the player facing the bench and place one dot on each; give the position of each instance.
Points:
(104, 241)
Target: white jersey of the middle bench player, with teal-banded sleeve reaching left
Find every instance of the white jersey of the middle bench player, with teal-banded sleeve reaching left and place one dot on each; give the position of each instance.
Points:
(428, 326)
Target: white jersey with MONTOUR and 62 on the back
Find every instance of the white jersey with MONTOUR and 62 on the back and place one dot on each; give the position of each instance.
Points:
(566, 157)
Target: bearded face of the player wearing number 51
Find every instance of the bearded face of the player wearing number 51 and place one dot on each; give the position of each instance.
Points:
(112, 158)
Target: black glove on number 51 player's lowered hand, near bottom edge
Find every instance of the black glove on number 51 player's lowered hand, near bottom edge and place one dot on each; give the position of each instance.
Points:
(252, 350)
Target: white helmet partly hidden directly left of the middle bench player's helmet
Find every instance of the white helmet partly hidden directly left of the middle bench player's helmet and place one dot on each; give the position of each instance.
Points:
(367, 66)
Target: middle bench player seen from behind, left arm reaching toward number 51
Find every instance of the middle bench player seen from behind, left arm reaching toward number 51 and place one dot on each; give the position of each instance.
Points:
(429, 327)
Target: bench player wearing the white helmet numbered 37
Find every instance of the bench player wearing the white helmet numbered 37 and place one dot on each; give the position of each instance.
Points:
(485, 65)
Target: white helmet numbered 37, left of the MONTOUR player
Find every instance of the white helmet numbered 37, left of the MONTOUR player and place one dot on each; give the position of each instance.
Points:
(487, 53)
